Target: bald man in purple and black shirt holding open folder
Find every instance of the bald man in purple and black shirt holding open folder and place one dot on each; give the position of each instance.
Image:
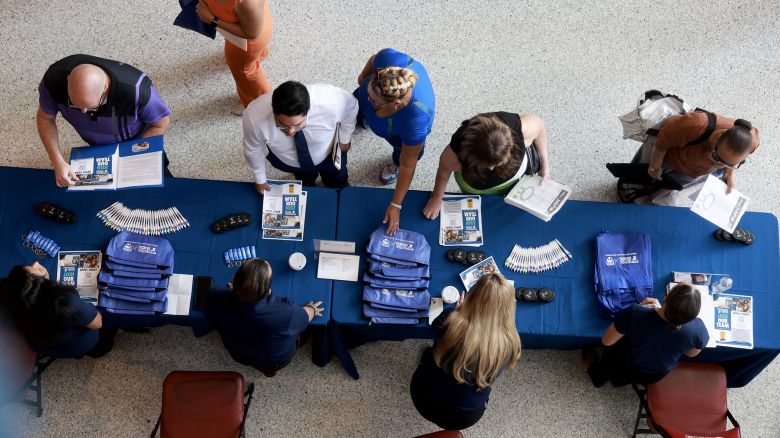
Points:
(105, 101)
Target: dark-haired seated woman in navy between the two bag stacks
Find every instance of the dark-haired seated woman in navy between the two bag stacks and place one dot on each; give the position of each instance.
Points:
(257, 328)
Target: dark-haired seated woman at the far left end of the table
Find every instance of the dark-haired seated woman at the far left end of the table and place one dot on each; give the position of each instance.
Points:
(51, 317)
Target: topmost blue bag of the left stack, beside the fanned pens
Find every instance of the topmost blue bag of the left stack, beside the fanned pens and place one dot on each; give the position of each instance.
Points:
(141, 251)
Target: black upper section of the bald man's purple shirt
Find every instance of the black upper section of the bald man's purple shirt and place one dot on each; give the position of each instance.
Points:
(121, 99)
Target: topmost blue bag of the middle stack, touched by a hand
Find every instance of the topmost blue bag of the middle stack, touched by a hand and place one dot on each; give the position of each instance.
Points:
(403, 245)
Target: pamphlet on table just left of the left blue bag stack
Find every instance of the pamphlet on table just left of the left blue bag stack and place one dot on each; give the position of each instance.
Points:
(80, 270)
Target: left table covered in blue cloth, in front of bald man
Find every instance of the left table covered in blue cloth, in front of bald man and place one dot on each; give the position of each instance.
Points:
(197, 250)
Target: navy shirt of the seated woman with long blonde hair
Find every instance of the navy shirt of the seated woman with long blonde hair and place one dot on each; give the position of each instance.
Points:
(449, 394)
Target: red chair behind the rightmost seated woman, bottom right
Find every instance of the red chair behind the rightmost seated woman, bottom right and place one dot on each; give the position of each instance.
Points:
(689, 401)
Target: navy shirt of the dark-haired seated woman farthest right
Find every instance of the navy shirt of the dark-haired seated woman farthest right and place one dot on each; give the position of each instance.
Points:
(649, 346)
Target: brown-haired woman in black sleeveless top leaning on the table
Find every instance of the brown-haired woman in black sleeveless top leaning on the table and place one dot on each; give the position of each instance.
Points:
(489, 153)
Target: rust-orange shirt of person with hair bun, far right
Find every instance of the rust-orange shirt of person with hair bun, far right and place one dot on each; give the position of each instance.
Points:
(695, 160)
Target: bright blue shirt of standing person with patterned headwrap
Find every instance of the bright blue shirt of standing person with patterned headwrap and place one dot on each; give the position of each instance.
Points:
(413, 123)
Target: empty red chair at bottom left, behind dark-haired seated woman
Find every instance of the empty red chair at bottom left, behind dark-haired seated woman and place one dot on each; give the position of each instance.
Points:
(203, 404)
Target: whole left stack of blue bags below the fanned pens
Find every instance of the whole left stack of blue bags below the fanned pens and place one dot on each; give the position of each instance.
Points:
(134, 277)
